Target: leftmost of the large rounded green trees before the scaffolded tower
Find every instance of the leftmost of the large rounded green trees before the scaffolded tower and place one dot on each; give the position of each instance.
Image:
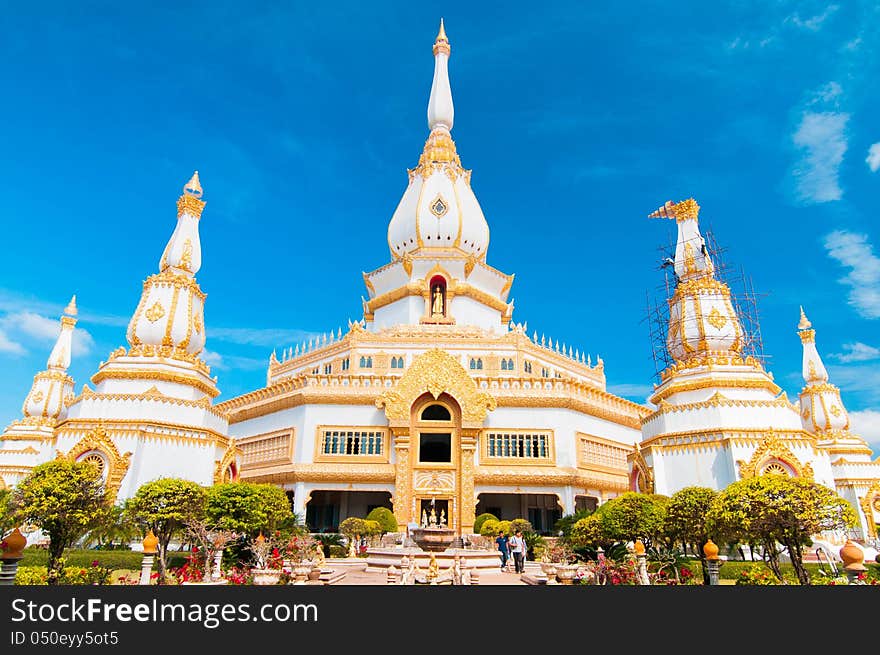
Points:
(633, 516)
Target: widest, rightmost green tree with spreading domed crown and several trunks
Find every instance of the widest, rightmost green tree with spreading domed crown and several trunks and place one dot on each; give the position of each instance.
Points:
(775, 509)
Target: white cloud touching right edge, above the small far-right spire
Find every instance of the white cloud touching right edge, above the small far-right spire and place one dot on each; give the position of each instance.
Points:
(855, 252)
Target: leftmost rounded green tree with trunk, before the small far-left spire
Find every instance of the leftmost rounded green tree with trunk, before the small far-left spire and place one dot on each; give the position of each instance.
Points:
(65, 500)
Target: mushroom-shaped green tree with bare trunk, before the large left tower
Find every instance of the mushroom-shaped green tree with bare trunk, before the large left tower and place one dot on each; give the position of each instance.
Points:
(164, 506)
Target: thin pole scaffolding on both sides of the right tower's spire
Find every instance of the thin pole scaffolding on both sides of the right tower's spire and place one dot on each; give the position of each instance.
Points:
(743, 297)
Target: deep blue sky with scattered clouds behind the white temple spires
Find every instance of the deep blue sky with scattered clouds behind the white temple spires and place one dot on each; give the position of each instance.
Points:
(577, 119)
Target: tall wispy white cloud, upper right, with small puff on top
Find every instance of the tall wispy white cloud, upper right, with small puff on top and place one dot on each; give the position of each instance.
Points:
(821, 138)
